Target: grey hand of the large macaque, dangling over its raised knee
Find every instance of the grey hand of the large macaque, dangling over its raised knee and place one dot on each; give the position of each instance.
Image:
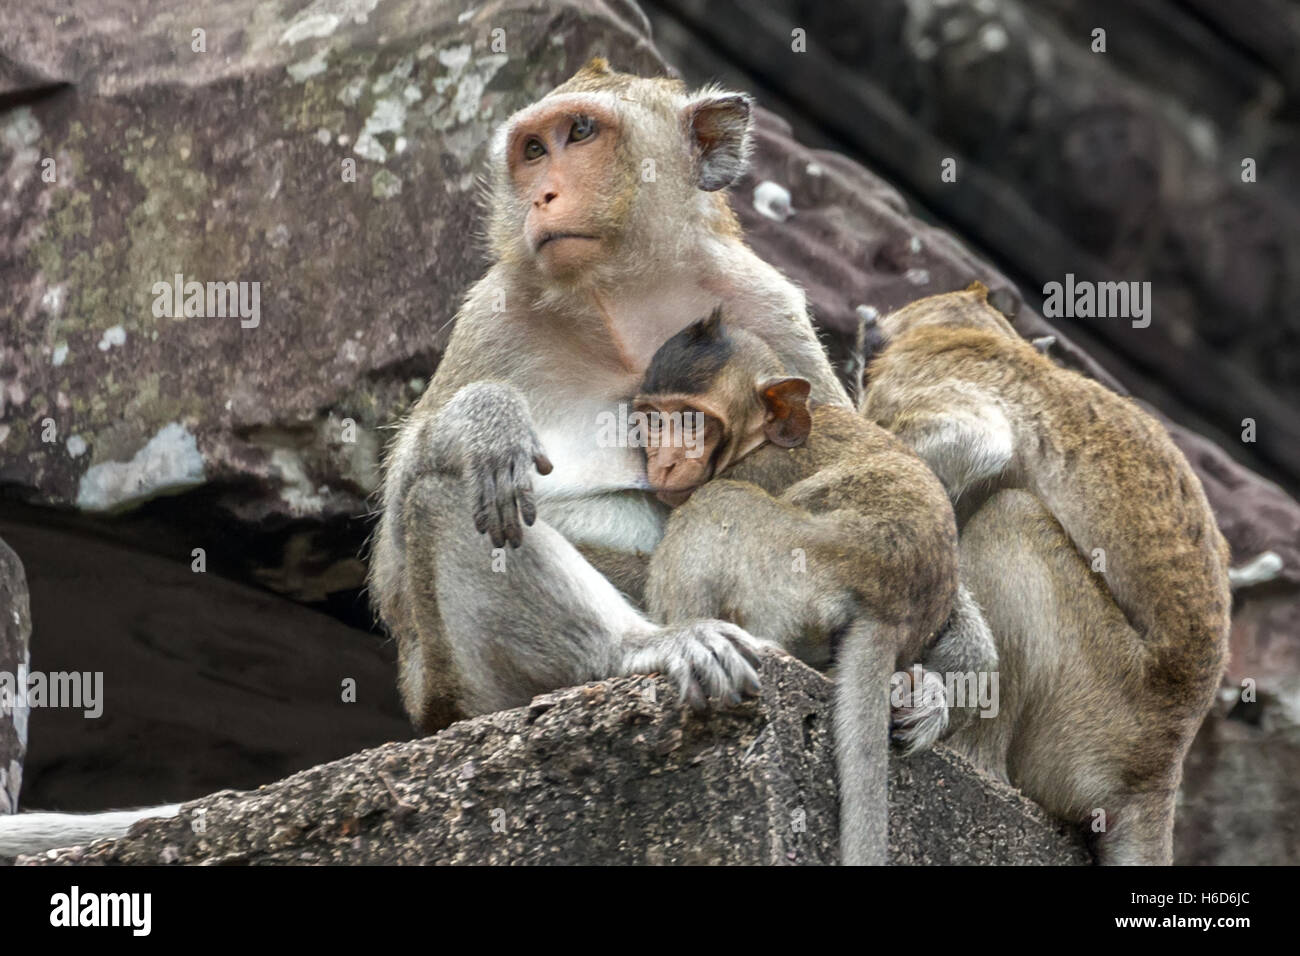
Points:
(499, 452)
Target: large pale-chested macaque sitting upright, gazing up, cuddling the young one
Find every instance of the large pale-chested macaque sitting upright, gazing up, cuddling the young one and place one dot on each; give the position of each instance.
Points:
(596, 265)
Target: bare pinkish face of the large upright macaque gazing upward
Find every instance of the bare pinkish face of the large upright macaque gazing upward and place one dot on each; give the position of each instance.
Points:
(565, 168)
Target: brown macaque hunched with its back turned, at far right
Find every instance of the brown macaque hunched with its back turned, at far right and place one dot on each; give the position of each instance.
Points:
(1103, 578)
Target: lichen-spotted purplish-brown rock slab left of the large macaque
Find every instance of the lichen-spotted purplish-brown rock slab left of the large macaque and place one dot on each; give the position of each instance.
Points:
(228, 166)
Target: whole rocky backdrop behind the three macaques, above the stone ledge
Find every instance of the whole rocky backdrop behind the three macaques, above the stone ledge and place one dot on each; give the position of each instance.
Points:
(136, 449)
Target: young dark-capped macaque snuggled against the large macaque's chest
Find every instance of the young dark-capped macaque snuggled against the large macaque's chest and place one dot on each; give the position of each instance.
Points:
(805, 525)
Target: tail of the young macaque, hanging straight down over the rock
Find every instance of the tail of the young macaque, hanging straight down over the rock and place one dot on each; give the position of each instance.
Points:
(863, 741)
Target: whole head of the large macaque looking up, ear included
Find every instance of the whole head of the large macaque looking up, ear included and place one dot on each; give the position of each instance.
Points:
(567, 192)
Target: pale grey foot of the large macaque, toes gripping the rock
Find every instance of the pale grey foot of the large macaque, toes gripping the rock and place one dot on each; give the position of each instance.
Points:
(708, 660)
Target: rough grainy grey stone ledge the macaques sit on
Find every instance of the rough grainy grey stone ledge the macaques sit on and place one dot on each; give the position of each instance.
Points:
(608, 773)
